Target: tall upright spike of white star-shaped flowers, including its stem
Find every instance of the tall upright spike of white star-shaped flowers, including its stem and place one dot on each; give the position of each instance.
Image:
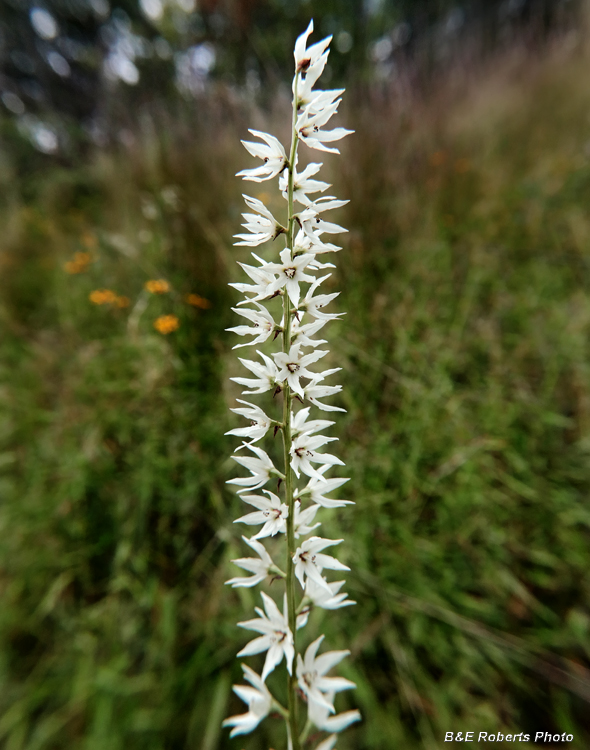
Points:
(294, 280)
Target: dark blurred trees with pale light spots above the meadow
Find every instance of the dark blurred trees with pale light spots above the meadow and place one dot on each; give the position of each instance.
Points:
(80, 72)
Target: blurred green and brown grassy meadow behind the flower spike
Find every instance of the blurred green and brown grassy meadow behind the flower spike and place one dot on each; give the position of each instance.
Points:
(467, 438)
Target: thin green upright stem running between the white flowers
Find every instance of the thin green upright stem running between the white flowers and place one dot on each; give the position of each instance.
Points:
(293, 701)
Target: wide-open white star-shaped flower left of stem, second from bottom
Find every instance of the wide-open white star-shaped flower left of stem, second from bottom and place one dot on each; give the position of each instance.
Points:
(276, 638)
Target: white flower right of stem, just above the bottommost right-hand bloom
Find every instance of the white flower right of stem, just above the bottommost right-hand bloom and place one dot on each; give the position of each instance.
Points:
(311, 673)
